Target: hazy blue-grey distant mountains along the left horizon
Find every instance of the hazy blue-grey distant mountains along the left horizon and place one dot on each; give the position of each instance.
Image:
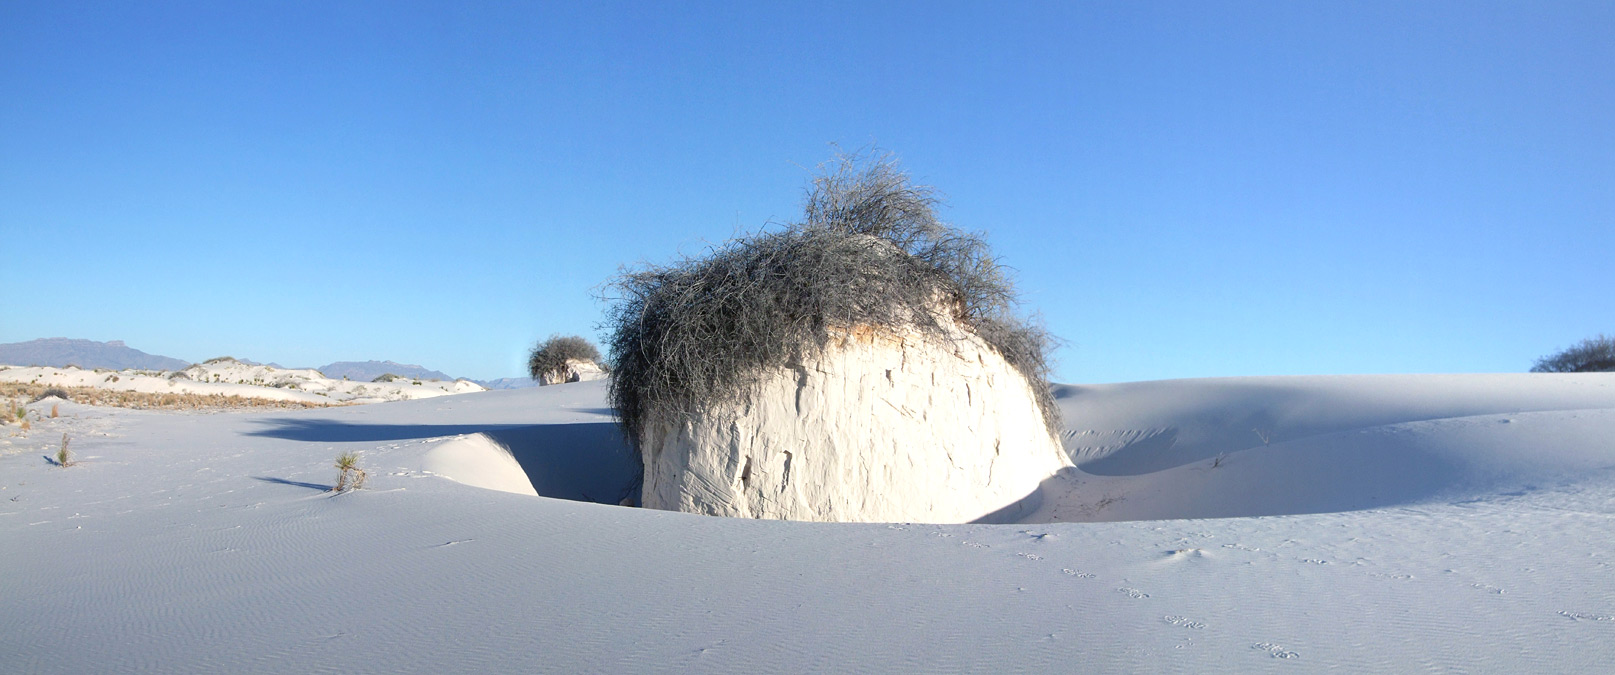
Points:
(115, 356)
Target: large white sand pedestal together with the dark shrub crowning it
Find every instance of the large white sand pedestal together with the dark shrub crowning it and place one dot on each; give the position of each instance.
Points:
(862, 366)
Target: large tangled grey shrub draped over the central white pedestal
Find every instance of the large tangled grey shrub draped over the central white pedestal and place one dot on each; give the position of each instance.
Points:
(870, 251)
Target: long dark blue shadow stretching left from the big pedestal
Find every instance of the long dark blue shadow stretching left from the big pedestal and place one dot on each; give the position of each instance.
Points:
(585, 463)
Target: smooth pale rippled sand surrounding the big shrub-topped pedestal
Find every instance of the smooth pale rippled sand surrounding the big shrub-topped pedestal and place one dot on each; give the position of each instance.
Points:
(1369, 524)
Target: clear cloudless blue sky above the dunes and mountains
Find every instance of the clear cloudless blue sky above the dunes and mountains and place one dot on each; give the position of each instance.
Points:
(1186, 190)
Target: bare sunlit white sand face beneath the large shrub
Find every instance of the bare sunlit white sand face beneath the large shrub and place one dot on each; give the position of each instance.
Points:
(883, 427)
